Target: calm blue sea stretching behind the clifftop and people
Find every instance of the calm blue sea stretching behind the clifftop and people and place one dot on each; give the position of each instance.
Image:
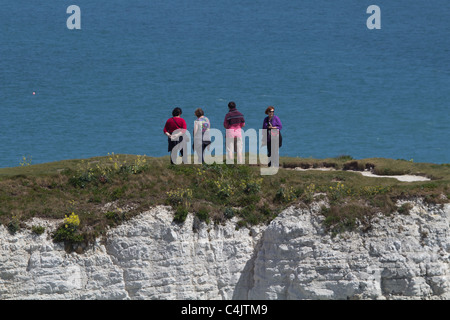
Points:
(338, 87)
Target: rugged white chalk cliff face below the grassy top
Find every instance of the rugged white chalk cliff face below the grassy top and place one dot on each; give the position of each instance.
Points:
(150, 257)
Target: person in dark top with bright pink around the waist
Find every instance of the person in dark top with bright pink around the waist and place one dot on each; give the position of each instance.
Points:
(233, 122)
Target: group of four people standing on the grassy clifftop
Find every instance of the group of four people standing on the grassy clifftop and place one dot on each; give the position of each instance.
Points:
(175, 129)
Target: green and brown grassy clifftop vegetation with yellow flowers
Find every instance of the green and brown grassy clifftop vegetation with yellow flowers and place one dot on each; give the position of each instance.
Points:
(134, 184)
